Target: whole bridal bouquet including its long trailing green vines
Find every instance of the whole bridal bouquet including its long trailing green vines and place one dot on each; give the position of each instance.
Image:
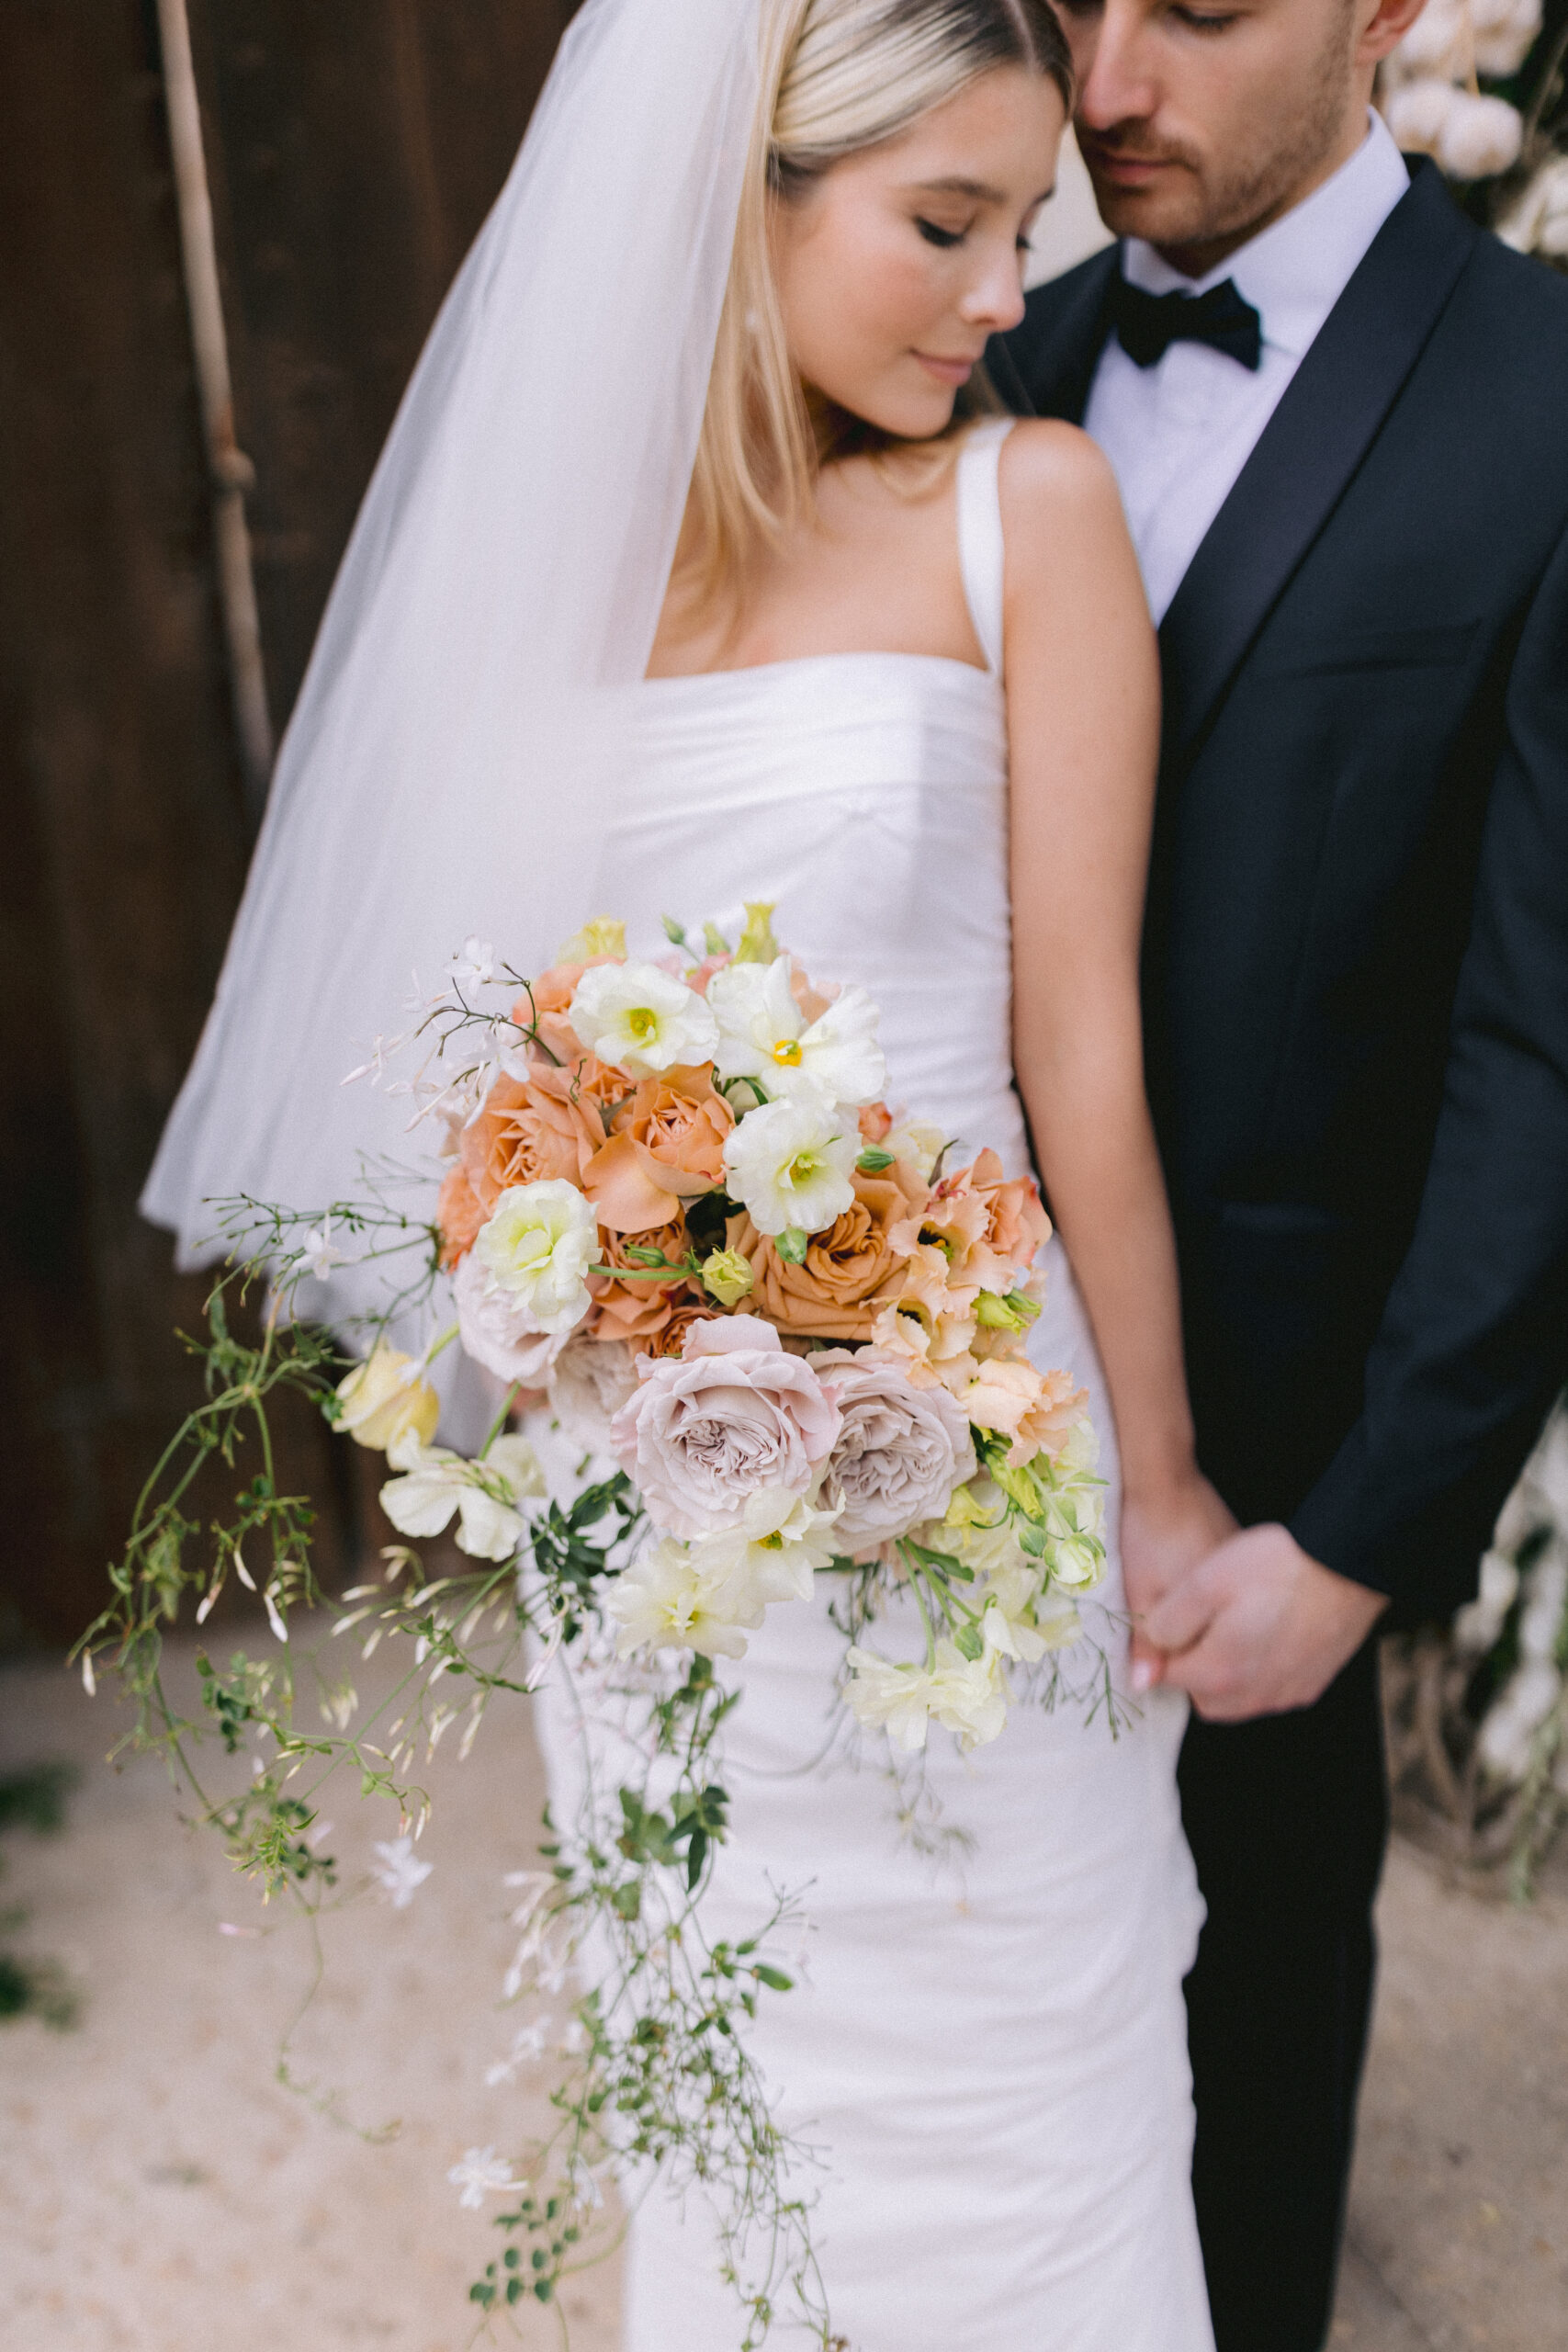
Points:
(786, 1342)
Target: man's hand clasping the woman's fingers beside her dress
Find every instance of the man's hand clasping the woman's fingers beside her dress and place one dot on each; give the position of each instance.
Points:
(1259, 1626)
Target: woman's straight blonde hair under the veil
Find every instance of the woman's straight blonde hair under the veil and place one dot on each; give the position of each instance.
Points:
(838, 76)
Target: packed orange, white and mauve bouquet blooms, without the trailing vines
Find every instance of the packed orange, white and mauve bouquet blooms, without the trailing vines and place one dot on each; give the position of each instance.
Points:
(681, 1205)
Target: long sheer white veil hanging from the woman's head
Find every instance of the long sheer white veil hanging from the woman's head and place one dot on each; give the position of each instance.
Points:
(455, 744)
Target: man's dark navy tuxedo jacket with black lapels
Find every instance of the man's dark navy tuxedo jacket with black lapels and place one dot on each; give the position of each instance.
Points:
(1358, 942)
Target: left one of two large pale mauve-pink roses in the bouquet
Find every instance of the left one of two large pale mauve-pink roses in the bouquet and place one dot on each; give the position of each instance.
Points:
(732, 1415)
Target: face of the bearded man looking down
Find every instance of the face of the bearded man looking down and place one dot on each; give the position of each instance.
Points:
(1202, 121)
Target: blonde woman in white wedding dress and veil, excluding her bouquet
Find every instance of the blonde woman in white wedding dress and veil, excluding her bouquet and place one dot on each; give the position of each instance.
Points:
(695, 573)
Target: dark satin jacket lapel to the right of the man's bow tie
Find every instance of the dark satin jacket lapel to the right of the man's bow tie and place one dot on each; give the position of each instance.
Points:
(1308, 453)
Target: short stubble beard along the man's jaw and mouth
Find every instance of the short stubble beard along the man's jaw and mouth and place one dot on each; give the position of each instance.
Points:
(1212, 196)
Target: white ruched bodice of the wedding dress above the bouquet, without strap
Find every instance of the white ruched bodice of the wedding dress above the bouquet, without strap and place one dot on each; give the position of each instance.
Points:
(864, 796)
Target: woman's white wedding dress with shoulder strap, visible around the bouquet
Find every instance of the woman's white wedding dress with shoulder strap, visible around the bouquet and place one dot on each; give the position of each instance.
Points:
(989, 2050)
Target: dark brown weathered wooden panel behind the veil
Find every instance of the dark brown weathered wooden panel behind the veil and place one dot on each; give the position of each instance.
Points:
(354, 152)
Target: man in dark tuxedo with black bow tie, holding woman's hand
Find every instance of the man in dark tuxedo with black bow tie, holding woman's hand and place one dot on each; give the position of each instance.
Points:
(1339, 420)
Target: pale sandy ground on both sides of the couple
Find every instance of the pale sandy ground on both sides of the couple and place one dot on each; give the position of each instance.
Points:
(161, 2191)
